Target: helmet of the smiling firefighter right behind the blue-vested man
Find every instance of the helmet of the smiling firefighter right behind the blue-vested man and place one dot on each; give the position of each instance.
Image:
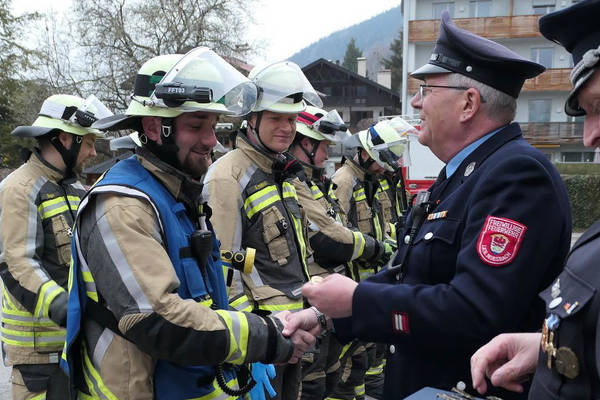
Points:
(283, 88)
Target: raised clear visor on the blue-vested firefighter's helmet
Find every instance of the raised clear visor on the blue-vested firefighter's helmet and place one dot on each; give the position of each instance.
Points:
(203, 81)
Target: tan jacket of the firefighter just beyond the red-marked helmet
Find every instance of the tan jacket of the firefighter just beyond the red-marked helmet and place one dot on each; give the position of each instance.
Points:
(357, 192)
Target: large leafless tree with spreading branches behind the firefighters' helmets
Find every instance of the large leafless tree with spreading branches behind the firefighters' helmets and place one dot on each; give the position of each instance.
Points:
(103, 43)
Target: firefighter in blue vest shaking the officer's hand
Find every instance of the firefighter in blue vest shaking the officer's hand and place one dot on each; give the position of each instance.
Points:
(148, 313)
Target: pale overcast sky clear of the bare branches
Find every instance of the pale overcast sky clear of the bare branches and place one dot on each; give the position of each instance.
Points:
(283, 26)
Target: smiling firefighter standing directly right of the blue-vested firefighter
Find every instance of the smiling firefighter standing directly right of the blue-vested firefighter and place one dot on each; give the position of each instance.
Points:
(254, 203)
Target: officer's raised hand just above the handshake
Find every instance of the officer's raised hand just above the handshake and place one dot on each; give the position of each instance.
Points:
(332, 296)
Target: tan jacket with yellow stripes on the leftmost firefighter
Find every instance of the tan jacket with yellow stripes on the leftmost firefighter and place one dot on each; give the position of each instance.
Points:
(37, 210)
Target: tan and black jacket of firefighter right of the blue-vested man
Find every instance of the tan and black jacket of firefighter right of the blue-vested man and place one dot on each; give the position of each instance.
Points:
(255, 205)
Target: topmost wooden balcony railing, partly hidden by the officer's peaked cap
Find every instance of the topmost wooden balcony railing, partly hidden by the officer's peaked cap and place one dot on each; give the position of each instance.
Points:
(518, 26)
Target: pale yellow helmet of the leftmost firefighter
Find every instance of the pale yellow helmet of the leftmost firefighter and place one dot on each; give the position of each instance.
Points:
(66, 113)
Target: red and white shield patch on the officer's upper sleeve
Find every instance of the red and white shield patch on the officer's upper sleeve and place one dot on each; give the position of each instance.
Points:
(499, 240)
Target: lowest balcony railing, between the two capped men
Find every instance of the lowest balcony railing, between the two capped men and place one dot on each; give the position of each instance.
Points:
(552, 132)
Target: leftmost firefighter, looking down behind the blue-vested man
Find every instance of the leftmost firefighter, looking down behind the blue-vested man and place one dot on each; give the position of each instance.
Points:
(38, 203)
